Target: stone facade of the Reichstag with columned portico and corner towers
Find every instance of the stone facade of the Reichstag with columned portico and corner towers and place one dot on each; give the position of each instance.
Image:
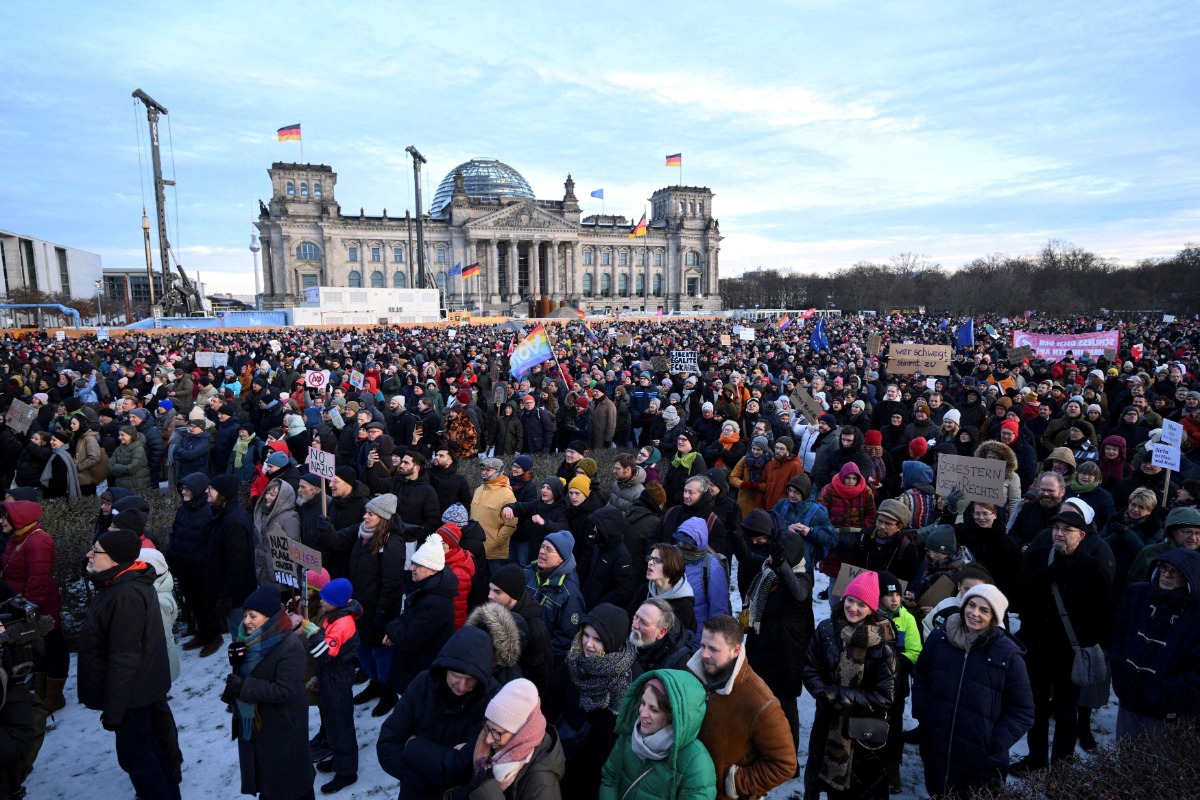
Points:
(535, 255)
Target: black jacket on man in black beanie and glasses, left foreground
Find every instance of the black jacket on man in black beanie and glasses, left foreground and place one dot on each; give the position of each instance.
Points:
(123, 647)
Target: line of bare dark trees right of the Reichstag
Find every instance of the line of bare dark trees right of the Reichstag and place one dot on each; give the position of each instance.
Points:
(1059, 280)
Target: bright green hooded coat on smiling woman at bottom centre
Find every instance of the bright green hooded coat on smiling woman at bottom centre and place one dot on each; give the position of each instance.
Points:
(687, 773)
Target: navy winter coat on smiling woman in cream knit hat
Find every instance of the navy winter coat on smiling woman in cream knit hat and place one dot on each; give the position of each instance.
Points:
(973, 707)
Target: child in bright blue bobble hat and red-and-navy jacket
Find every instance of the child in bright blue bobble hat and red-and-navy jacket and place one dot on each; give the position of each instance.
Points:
(334, 645)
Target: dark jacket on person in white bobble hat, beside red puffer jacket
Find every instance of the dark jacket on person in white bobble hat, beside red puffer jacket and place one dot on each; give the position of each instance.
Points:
(424, 627)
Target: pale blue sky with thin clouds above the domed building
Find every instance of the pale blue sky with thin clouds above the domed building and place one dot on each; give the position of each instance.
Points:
(831, 133)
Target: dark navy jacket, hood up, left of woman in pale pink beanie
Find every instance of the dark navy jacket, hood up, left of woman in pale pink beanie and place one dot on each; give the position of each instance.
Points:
(418, 742)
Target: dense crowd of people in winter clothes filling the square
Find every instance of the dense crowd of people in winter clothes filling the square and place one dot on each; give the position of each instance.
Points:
(554, 631)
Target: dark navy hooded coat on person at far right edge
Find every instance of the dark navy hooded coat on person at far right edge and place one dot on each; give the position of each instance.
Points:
(1156, 645)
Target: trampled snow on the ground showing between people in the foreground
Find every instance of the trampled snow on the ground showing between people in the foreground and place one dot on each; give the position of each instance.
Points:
(80, 761)
